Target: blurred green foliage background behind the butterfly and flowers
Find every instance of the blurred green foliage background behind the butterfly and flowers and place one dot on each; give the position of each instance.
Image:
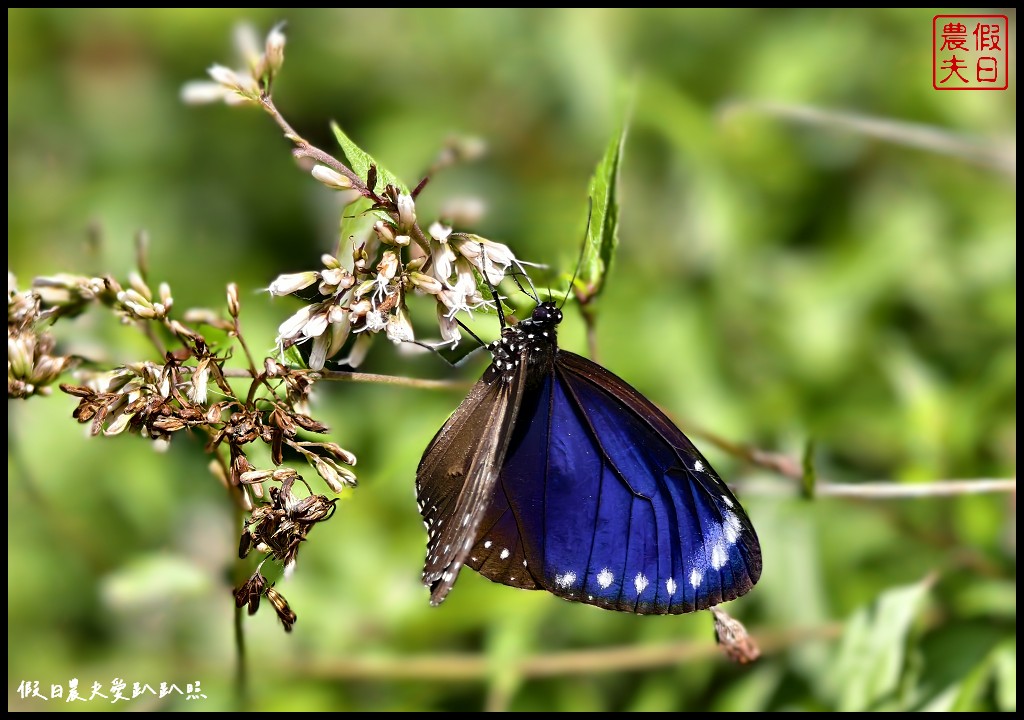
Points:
(776, 282)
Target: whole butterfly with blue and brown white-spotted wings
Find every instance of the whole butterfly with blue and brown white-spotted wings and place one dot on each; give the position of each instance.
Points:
(556, 475)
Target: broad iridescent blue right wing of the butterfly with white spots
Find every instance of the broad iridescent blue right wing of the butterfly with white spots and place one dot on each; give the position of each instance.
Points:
(611, 504)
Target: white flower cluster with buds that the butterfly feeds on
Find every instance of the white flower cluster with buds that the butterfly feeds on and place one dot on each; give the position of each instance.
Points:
(367, 293)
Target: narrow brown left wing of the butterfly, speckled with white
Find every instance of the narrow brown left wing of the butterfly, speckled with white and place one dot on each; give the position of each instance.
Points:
(458, 473)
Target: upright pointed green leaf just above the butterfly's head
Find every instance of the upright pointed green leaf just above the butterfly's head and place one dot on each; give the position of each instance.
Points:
(603, 234)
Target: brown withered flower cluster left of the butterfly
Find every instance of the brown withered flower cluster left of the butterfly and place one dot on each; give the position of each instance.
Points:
(192, 390)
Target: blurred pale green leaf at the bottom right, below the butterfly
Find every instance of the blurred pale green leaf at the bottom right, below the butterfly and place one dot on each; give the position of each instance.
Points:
(873, 657)
